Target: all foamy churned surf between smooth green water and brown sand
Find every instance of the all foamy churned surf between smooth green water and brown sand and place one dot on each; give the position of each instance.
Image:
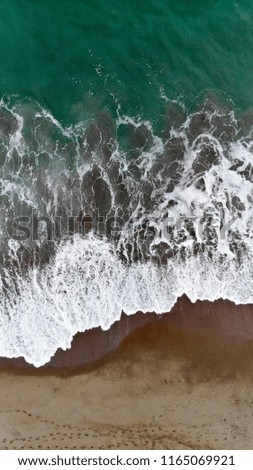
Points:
(107, 216)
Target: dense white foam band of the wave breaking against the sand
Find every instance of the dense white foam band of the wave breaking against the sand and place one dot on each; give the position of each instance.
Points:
(87, 286)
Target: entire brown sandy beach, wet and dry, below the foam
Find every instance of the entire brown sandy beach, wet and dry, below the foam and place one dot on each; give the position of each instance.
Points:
(176, 381)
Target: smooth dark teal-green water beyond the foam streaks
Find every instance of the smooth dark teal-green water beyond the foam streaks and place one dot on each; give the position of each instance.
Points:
(77, 56)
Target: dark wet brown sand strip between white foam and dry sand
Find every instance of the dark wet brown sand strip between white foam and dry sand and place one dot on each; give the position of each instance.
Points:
(230, 323)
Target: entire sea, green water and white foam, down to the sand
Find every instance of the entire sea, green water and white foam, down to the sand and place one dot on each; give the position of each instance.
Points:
(126, 162)
